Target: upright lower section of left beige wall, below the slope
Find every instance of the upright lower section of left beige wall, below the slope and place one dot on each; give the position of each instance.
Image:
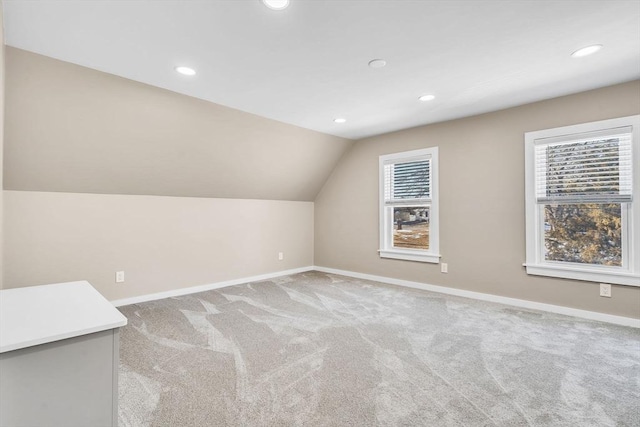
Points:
(162, 243)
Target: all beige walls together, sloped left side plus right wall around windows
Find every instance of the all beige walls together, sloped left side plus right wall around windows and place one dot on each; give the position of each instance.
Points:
(74, 130)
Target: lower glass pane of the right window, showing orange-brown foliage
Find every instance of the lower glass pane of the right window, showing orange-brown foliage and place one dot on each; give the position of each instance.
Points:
(586, 233)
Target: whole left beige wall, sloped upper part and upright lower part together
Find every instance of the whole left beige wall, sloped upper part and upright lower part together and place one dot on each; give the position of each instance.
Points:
(99, 155)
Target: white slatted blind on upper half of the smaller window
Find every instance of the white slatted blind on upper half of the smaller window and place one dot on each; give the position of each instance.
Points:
(407, 182)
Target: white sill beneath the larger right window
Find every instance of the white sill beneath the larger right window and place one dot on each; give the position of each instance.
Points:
(586, 274)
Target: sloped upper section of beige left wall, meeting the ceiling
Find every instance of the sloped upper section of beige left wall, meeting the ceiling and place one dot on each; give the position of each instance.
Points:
(73, 129)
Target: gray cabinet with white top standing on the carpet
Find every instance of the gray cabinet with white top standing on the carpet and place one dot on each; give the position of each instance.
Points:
(65, 382)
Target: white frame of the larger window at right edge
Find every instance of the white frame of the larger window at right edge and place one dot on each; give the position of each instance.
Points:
(535, 263)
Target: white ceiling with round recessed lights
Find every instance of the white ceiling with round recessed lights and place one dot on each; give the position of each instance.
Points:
(307, 65)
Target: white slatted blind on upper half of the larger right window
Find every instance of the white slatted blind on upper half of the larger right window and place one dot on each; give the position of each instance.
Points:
(594, 167)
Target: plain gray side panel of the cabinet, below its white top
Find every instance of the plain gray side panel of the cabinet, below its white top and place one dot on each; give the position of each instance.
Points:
(65, 383)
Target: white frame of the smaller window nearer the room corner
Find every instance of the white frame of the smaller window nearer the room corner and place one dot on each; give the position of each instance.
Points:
(387, 250)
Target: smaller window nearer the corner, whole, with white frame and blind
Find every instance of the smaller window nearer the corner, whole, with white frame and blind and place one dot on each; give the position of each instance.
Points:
(409, 205)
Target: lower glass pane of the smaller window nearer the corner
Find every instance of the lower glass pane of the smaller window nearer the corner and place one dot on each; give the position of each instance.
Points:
(411, 227)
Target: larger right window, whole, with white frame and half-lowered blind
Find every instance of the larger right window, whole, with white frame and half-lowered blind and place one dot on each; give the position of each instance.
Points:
(582, 201)
